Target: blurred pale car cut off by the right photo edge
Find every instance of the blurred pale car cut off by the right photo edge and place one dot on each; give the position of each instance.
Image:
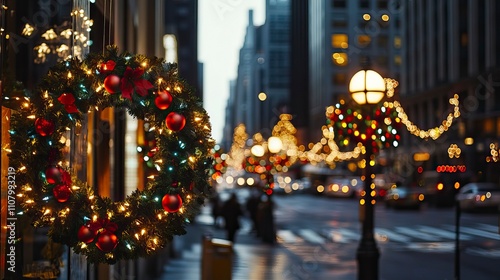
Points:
(475, 196)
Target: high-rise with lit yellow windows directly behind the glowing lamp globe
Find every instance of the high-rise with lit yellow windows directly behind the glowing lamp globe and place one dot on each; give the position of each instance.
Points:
(342, 34)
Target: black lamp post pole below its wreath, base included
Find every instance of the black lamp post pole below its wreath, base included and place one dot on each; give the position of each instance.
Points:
(367, 254)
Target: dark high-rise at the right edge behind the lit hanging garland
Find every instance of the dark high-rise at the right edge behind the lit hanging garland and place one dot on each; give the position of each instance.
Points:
(450, 47)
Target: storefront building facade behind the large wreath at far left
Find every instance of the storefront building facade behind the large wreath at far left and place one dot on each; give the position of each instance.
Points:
(104, 153)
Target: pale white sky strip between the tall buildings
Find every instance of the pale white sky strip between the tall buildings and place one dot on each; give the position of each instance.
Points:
(221, 27)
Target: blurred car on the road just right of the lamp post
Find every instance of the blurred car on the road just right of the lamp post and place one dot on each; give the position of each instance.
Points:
(404, 197)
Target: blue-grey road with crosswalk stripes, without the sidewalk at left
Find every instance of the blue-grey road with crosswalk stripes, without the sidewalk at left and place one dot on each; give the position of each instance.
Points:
(414, 244)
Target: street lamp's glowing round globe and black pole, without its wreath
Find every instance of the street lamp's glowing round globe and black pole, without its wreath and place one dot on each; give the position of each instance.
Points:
(367, 87)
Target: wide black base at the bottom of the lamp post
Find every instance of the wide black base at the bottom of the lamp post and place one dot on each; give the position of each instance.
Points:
(367, 256)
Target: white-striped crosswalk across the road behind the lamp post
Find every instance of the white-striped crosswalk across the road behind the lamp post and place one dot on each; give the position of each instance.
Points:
(415, 233)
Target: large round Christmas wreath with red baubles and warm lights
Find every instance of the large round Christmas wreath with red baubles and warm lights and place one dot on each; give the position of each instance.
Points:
(103, 230)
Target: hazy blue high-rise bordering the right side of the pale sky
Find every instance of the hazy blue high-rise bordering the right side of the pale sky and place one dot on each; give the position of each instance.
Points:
(261, 90)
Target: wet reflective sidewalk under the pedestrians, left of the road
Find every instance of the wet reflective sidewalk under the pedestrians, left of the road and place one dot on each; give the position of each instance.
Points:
(252, 259)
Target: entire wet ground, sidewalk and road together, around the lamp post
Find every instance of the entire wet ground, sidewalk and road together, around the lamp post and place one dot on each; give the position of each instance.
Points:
(318, 238)
